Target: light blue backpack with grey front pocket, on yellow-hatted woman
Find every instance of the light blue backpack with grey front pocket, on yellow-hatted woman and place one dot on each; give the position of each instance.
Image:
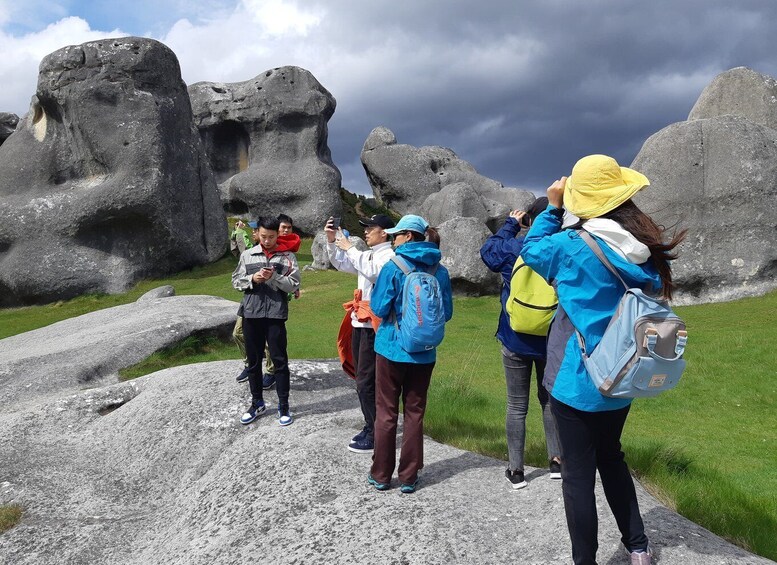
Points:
(641, 351)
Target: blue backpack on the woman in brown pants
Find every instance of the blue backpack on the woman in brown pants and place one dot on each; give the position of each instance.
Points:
(422, 324)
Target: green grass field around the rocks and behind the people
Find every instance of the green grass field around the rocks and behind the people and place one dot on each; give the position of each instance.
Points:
(708, 448)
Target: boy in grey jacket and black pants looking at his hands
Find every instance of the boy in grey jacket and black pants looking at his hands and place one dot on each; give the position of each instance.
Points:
(266, 275)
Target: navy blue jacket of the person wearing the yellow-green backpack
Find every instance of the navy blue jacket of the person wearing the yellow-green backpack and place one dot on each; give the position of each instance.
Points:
(499, 253)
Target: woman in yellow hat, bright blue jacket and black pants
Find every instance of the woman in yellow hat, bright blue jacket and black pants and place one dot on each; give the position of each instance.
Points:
(590, 425)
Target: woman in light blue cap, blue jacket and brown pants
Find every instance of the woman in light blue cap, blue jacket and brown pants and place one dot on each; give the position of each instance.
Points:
(397, 372)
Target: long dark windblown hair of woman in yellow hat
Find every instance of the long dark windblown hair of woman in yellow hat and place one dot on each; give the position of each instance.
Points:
(642, 226)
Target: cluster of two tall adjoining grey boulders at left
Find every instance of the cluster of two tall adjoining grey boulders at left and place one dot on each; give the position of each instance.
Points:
(110, 178)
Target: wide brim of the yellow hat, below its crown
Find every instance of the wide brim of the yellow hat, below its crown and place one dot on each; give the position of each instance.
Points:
(588, 204)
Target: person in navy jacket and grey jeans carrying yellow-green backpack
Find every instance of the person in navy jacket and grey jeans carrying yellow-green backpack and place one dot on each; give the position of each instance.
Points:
(520, 351)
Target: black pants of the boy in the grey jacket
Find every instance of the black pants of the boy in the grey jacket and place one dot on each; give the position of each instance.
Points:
(257, 332)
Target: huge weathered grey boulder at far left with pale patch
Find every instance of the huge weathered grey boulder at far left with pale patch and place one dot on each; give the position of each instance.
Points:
(104, 182)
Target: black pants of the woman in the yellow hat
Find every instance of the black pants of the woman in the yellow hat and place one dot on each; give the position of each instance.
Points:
(591, 441)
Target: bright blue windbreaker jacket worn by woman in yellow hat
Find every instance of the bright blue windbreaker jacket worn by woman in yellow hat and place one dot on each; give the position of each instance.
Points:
(588, 295)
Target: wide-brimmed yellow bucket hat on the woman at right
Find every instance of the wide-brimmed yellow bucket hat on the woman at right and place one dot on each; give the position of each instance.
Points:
(598, 185)
